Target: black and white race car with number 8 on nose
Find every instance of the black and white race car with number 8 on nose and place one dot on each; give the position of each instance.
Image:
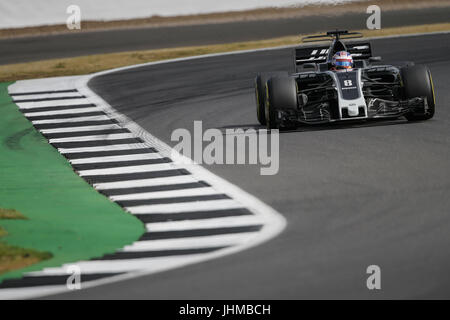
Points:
(342, 82)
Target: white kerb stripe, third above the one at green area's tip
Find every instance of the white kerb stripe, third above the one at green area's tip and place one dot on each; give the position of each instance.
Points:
(145, 182)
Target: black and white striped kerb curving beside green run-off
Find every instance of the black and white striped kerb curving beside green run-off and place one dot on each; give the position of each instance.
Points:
(185, 216)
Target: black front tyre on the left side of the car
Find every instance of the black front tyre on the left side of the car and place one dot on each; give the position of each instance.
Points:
(281, 92)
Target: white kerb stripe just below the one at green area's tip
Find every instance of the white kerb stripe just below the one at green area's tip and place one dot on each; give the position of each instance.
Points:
(190, 243)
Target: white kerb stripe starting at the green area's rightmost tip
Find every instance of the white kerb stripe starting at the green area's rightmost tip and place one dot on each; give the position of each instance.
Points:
(203, 223)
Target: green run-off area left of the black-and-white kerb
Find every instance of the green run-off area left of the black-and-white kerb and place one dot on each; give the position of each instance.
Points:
(65, 216)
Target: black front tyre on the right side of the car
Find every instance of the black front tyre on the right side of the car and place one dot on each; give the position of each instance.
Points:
(417, 82)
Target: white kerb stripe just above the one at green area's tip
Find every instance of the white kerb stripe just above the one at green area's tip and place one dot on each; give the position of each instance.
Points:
(186, 206)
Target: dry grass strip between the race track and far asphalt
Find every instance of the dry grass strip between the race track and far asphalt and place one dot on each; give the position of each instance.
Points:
(96, 63)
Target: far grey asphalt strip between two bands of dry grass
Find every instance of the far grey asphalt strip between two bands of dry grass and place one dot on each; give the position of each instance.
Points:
(28, 49)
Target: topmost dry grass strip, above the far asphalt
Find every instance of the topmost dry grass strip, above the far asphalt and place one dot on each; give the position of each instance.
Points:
(249, 15)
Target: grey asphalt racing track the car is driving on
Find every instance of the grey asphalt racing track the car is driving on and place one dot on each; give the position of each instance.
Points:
(353, 195)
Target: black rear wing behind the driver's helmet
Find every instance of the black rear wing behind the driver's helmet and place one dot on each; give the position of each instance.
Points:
(319, 54)
